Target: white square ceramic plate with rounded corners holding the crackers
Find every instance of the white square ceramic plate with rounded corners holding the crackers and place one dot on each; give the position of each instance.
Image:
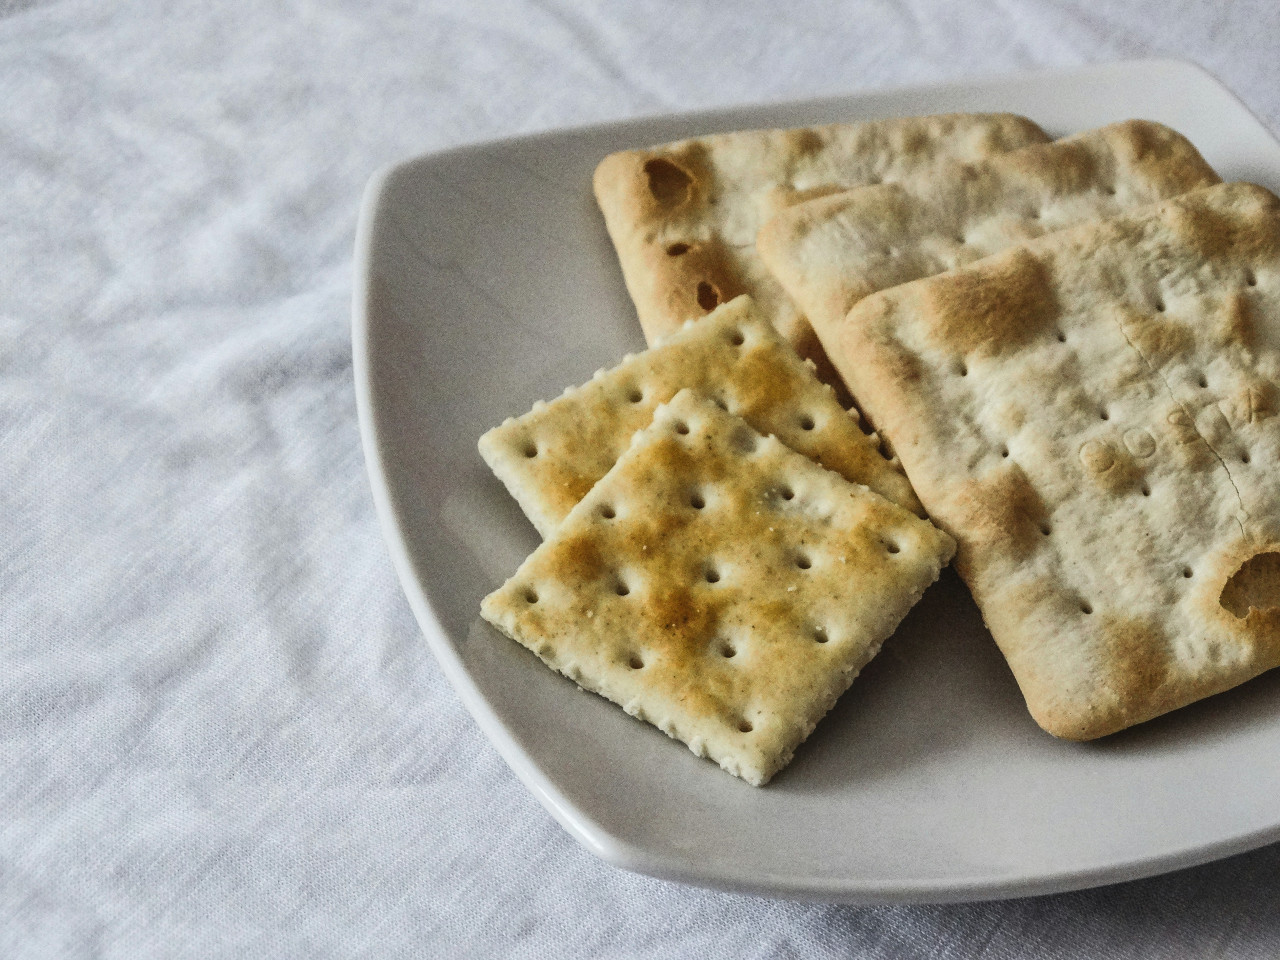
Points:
(486, 281)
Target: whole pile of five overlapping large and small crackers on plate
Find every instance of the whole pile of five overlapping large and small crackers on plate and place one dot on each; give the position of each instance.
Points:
(1063, 356)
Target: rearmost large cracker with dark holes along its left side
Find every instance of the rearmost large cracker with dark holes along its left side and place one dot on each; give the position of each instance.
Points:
(684, 216)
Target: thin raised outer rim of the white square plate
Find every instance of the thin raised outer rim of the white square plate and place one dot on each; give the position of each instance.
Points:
(595, 836)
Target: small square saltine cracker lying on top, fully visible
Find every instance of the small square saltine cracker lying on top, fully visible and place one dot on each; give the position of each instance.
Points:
(720, 587)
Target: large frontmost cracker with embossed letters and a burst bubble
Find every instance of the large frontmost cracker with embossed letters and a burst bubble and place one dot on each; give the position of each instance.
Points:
(1094, 418)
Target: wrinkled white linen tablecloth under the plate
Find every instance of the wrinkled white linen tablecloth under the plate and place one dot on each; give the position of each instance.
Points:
(223, 735)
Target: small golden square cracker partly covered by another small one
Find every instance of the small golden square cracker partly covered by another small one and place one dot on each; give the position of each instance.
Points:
(552, 456)
